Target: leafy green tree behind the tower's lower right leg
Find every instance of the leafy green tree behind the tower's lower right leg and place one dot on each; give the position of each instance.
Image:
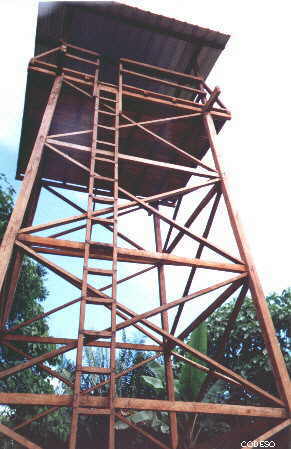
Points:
(245, 352)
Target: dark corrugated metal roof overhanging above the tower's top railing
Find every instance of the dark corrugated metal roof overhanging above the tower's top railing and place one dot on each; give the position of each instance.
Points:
(122, 31)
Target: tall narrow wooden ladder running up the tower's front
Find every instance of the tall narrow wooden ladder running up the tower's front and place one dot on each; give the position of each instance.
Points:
(106, 104)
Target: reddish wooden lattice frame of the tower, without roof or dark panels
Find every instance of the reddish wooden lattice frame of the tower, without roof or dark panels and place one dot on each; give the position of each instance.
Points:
(21, 238)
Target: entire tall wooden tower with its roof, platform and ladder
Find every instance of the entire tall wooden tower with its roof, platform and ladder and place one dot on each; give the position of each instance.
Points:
(133, 137)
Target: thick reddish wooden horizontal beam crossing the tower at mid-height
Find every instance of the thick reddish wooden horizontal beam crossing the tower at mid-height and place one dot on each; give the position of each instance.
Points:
(103, 251)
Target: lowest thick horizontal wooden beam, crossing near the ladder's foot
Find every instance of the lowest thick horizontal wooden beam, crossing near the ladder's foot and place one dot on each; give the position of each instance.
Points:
(142, 404)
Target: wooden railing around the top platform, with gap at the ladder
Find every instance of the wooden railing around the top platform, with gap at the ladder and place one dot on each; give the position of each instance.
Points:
(136, 78)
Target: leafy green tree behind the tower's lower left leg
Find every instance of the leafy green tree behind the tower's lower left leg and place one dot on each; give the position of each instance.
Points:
(29, 297)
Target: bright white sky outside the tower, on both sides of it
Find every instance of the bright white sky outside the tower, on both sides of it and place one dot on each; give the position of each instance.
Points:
(254, 75)
